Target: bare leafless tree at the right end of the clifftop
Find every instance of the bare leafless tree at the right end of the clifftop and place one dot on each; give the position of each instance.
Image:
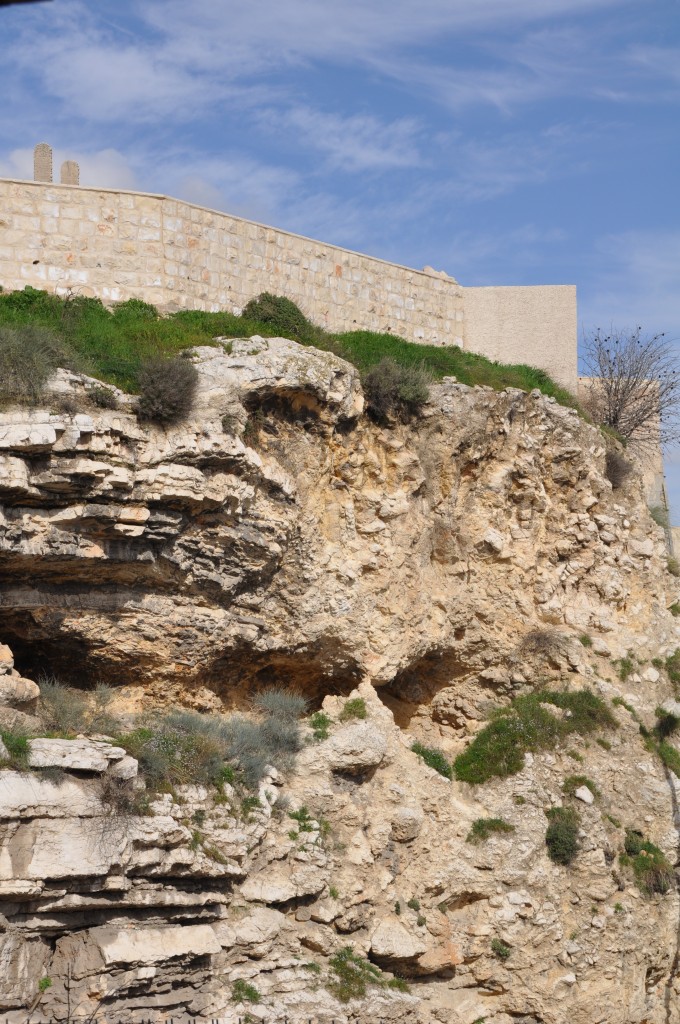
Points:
(635, 386)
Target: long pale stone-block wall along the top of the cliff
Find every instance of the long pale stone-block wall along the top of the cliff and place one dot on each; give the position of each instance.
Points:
(119, 245)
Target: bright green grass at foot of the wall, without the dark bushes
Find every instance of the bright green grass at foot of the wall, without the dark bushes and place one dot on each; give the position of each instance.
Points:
(112, 346)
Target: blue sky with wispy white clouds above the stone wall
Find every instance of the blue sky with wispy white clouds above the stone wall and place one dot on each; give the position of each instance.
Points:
(505, 142)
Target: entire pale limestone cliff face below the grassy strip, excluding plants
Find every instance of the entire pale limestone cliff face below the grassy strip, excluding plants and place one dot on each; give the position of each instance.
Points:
(282, 539)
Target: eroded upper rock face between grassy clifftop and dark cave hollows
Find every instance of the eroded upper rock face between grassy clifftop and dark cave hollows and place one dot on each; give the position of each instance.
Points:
(185, 562)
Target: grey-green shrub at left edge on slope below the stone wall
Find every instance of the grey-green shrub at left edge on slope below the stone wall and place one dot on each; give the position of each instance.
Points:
(29, 356)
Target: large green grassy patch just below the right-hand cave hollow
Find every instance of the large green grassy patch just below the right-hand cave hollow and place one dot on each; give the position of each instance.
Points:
(498, 750)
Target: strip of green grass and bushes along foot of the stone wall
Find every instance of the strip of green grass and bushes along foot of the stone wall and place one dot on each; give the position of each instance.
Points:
(114, 346)
